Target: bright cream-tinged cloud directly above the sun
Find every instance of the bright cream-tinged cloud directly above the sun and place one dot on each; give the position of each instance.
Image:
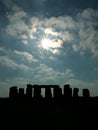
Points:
(52, 24)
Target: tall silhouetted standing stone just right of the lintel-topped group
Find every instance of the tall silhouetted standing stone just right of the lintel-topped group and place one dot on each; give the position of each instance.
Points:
(67, 91)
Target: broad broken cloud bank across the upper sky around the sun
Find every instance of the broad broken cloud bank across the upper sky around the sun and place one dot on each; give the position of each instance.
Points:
(80, 32)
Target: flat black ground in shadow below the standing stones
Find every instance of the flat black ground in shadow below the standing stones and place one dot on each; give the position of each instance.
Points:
(70, 114)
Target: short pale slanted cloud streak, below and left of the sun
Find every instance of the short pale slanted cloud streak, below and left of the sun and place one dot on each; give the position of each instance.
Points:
(25, 55)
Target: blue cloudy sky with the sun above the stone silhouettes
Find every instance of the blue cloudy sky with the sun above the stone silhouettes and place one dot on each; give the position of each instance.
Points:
(49, 42)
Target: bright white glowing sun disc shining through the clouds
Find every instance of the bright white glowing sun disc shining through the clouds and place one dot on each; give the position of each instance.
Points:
(46, 43)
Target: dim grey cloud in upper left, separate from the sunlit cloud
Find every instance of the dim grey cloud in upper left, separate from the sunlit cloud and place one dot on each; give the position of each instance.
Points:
(17, 25)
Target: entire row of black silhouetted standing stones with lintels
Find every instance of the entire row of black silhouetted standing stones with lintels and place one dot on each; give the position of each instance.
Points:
(57, 92)
